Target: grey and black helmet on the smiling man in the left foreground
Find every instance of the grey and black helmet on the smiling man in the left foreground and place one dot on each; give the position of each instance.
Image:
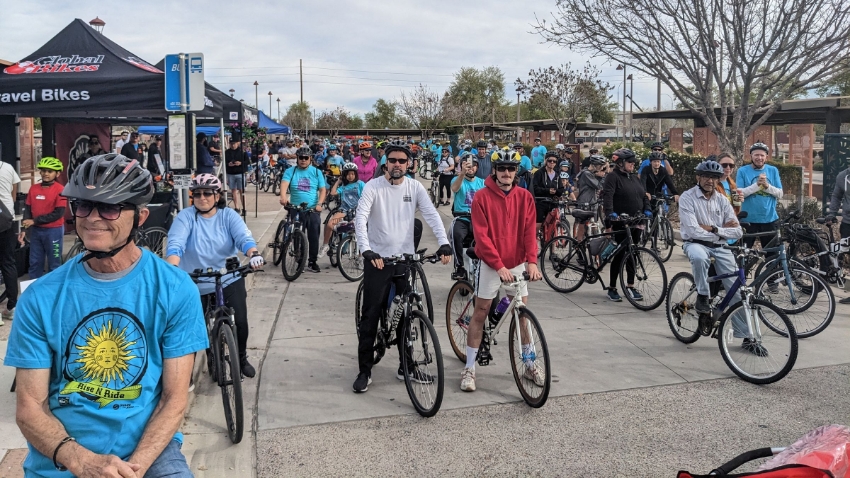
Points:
(111, 179)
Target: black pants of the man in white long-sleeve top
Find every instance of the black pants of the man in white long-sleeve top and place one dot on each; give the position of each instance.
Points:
(376, 285)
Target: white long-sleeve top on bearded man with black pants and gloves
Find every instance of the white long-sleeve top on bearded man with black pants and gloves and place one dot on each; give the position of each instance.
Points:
(385, 214)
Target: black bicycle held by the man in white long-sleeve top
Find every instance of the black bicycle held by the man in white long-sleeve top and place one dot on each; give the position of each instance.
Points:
(422, 359)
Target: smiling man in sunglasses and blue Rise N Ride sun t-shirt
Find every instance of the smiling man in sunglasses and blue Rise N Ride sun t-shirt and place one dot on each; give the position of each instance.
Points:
(104, 345)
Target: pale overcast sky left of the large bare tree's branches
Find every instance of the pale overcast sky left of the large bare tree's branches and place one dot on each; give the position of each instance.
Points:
(354, 52)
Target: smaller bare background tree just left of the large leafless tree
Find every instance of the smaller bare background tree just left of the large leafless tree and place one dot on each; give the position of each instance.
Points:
(565, 95)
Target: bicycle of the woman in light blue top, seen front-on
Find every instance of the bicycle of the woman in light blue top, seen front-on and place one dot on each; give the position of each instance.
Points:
(223, 354)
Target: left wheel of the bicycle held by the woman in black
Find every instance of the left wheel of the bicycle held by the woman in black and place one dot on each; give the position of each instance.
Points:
(563, 264)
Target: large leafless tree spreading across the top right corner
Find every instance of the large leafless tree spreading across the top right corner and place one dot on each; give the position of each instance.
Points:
(713, 53)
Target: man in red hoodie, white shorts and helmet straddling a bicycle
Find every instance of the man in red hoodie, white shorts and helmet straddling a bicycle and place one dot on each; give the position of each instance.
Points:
(503, 223)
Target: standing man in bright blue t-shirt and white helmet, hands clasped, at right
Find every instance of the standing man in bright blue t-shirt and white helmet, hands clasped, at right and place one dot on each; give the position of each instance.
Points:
(761, 187)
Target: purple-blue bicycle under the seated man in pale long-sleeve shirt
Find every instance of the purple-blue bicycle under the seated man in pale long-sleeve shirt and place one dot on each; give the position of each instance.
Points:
(773, 345)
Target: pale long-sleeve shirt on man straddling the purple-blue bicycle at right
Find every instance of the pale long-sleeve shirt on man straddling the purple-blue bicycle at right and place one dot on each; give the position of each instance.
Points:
(696, 210)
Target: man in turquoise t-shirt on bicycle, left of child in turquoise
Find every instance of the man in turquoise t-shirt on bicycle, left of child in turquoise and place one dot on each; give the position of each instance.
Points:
(306, 184)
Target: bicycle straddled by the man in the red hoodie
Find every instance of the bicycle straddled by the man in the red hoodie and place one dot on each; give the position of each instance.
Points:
(527, 347)
